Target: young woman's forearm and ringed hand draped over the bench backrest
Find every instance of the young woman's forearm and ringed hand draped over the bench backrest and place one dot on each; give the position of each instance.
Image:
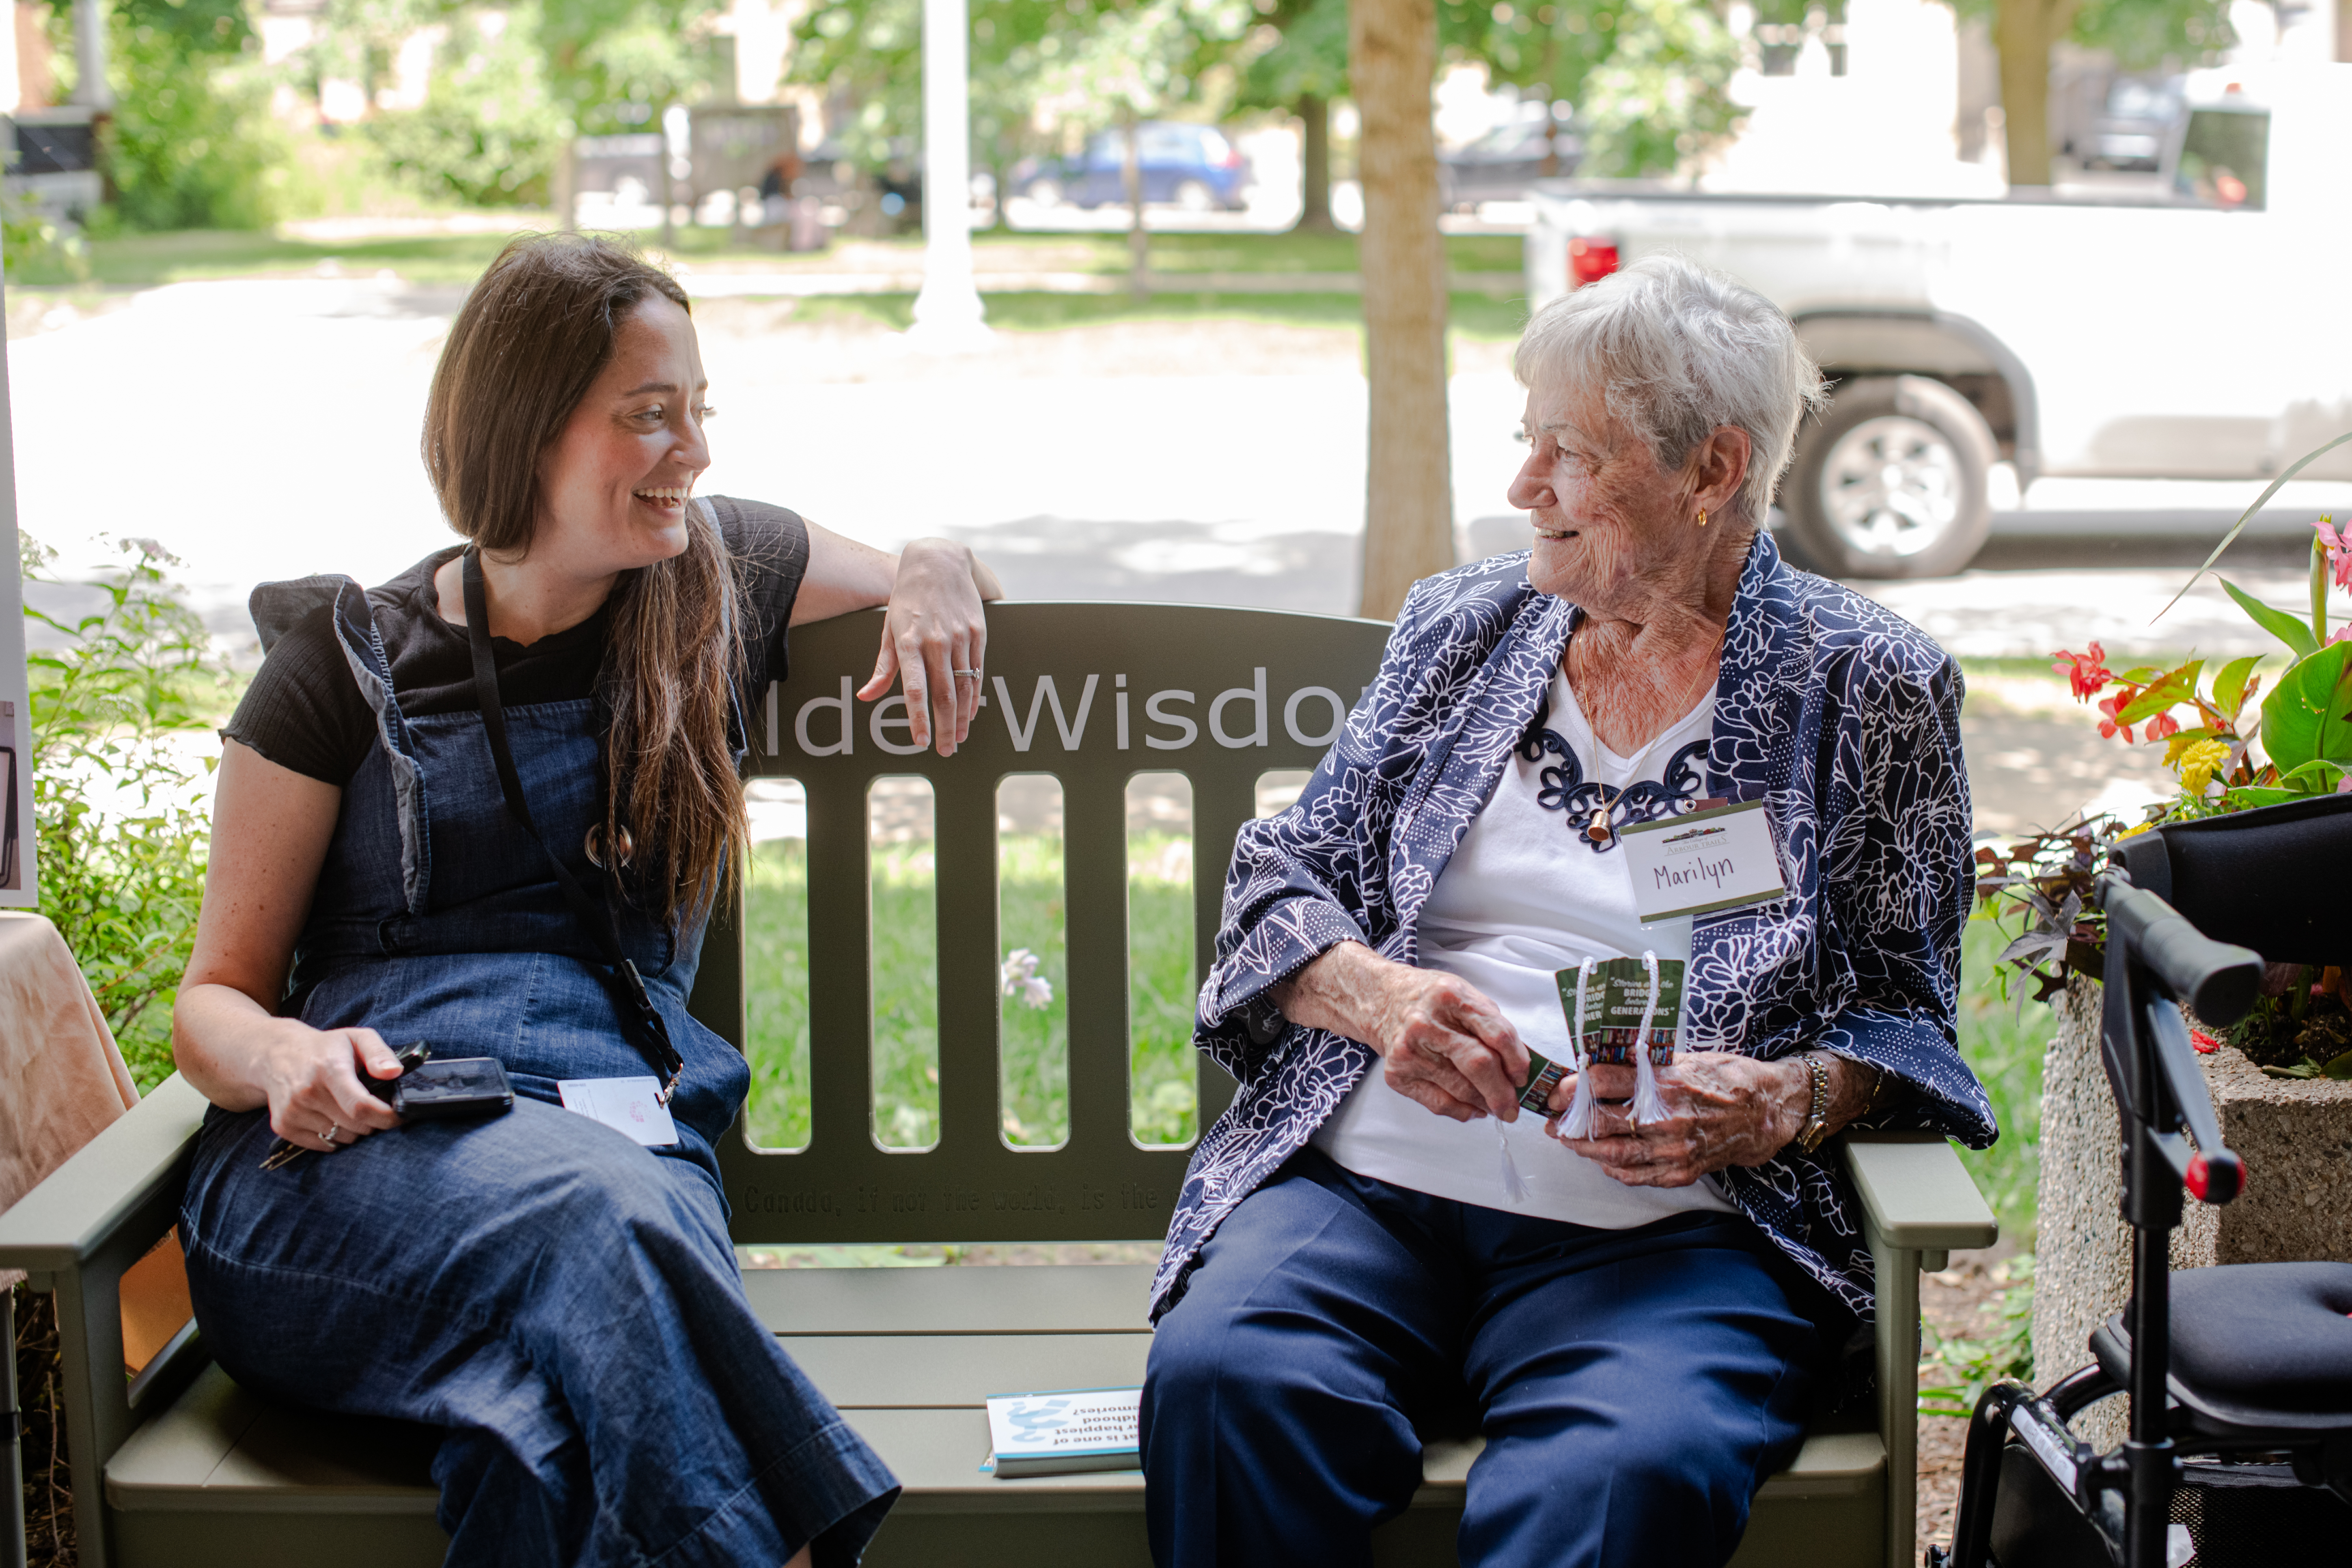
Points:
(935, 629)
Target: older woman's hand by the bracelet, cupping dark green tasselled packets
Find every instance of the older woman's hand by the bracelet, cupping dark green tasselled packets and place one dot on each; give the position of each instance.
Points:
(1723, 1111)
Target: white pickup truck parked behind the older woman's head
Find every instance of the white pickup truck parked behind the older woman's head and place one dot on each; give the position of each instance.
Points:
(2196, 330)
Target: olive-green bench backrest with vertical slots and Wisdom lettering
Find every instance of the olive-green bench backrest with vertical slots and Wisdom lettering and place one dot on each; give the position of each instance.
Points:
(1217, 695)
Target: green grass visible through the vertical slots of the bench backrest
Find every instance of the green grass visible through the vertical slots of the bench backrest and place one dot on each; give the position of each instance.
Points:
(1034, 1057)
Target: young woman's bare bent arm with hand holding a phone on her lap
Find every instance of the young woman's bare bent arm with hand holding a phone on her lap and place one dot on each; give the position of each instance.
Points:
(269, 843)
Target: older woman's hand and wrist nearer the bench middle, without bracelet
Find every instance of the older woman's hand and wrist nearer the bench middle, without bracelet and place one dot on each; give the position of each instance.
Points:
(1445, 1045)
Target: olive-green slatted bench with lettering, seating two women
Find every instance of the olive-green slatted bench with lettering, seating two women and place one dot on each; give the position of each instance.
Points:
(182, 1468)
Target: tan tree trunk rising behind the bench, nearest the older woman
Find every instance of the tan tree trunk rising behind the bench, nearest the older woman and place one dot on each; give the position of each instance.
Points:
(1410, 485)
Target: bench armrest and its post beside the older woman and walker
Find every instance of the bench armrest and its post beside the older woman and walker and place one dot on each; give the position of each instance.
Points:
(1918, 1205)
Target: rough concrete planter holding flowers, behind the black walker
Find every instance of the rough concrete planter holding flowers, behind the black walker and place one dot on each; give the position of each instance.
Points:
(2294, 1134)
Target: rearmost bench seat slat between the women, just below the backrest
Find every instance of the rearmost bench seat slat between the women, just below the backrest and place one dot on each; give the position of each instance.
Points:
(1050, 1299)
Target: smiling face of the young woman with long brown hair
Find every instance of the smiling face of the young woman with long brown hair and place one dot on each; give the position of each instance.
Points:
(615, 481)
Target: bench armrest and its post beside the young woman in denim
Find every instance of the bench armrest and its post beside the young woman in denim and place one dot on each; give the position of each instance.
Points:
(76, 1235)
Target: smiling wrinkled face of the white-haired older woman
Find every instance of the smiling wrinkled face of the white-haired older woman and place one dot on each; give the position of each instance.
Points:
(1608, 518)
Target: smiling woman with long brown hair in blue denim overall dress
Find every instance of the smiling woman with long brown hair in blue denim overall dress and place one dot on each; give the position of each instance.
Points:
(488, 808)
